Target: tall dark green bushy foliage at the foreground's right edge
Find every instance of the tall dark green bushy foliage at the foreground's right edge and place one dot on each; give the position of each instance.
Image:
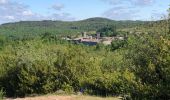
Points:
(149, 59)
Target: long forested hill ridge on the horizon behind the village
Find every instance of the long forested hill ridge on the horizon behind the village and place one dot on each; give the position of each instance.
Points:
(63, 27)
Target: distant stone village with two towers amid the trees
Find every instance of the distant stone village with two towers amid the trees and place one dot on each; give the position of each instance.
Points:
(93, 40)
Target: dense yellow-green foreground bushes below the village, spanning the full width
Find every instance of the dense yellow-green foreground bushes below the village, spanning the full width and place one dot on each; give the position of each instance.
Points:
(137, 67)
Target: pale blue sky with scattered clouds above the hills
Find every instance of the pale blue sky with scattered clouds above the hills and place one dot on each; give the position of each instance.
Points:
(71, 10)
